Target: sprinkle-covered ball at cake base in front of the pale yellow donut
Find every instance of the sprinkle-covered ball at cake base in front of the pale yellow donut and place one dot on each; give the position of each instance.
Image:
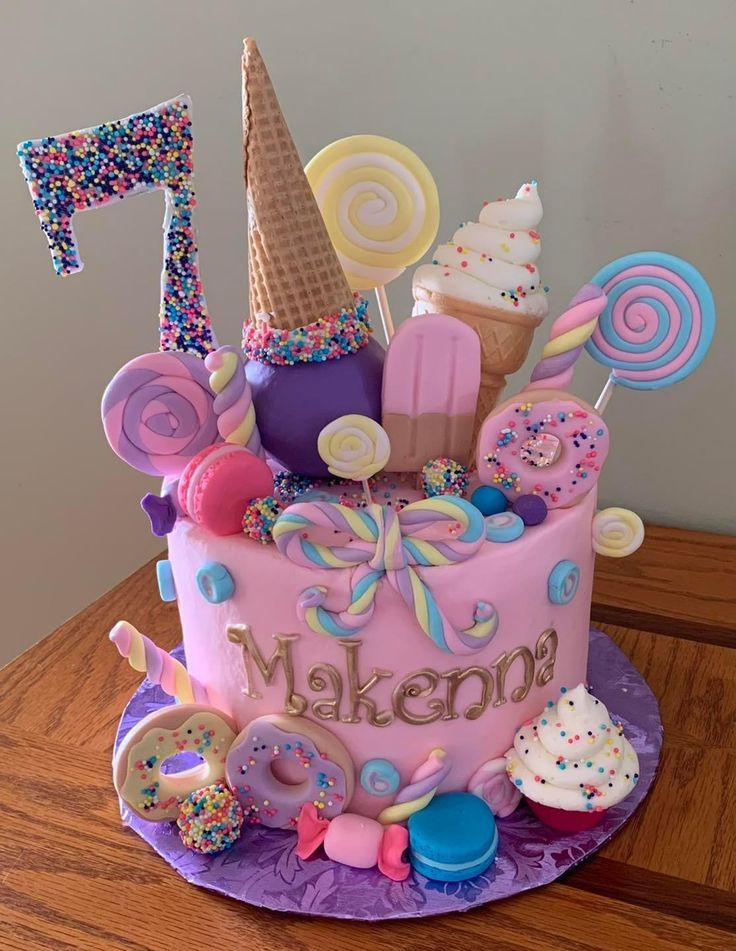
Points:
(210, 819)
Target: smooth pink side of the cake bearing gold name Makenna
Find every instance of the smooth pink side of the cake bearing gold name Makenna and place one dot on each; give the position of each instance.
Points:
(418, 697)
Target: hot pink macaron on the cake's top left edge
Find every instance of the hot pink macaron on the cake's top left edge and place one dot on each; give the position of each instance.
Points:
(219, 482)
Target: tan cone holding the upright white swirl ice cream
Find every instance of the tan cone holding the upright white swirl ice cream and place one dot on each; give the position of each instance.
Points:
(505, 338)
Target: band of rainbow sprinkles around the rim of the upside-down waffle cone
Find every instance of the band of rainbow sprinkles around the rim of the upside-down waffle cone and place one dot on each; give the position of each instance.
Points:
(327, 338)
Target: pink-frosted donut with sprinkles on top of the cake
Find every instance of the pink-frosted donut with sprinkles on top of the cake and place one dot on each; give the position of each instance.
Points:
(543, 442)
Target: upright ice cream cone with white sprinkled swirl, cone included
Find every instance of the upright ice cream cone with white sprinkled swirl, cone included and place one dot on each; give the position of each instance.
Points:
(487, 277)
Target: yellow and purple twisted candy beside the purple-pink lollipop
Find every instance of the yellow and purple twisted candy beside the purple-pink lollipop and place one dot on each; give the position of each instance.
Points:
(236, 415)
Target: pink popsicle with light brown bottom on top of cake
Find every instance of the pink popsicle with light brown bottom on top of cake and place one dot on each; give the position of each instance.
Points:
(431, 379)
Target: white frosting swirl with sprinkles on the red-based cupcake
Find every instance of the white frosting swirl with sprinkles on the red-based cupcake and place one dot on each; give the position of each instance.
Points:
(573, 756)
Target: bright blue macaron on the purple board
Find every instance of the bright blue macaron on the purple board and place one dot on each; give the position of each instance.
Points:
(453, 839)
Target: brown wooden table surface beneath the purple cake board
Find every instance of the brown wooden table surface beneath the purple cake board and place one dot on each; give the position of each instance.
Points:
(73, 877)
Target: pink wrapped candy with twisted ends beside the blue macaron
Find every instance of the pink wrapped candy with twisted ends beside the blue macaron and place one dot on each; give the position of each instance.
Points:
(354, 840)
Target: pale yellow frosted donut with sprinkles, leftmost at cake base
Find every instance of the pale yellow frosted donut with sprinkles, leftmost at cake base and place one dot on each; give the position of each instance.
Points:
(138, 773)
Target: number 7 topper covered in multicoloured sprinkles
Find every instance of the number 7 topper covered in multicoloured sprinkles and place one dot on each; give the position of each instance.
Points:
(92, 167)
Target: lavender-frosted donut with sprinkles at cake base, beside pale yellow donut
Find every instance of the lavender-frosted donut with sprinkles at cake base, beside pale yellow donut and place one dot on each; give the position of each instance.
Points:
(277, 763)
